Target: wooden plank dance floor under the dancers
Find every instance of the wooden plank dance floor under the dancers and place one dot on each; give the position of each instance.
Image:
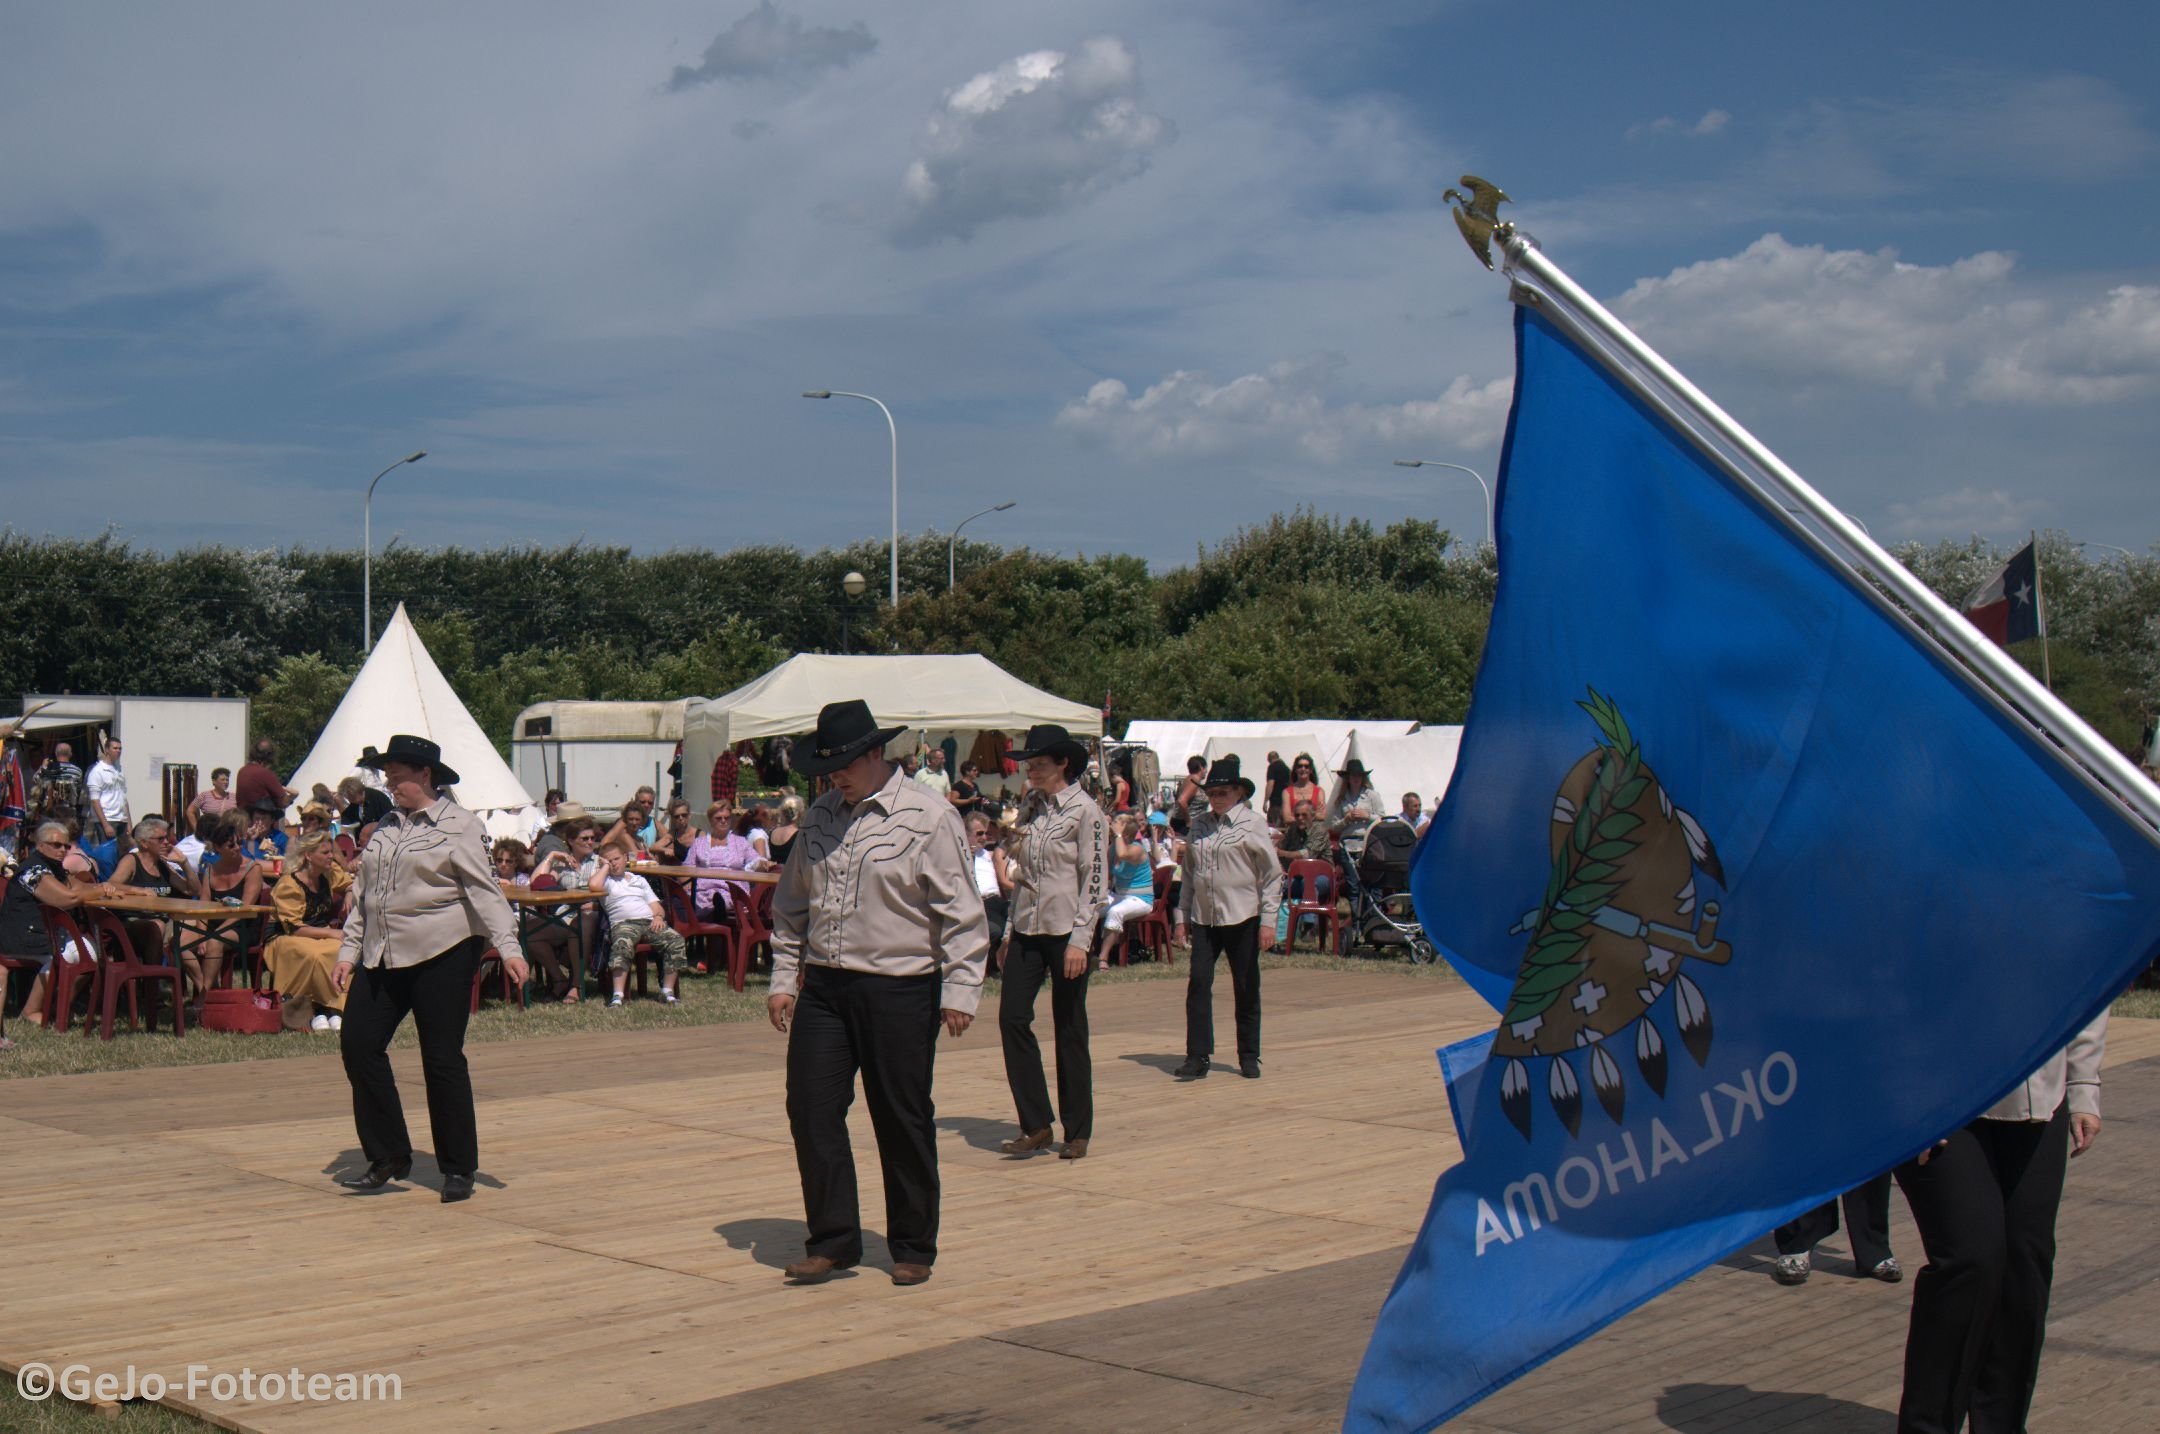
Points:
(1215, 1262)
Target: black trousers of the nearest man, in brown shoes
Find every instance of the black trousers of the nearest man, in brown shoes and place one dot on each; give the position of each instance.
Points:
(885, 1027)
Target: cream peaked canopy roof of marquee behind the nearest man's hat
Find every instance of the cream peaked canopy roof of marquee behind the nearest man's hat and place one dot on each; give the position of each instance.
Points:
(934, 694)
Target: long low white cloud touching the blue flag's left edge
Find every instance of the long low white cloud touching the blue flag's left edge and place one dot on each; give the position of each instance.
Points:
(1193, 416)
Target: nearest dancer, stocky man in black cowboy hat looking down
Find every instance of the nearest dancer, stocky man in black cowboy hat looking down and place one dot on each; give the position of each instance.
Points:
(878, 943)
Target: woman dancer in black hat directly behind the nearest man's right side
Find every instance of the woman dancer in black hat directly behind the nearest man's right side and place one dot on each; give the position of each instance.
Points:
(1059, 893)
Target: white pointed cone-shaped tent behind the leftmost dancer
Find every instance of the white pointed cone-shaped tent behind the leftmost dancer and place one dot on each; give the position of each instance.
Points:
(401, 690)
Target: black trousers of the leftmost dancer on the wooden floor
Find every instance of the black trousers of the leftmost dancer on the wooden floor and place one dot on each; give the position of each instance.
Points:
(440, 995)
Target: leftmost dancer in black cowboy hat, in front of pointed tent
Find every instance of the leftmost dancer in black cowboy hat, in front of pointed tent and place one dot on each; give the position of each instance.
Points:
(422, 912)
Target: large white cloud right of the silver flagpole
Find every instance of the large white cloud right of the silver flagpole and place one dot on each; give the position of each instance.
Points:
(1965, 332)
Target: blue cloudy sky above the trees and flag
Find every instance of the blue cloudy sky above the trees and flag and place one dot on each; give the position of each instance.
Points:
(1152, 271)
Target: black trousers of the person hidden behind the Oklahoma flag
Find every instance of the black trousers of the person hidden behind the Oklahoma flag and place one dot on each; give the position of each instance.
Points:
(1980, 1310)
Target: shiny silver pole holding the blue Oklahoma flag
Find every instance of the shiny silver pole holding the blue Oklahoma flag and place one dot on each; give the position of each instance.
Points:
(1751, 463)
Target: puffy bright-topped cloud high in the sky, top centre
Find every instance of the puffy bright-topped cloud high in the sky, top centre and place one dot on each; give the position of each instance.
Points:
(1031, 137)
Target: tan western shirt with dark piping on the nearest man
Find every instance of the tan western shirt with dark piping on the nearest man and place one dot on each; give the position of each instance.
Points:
(882, 887)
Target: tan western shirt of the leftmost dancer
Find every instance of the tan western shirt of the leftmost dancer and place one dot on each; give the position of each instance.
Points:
(424, 887)
